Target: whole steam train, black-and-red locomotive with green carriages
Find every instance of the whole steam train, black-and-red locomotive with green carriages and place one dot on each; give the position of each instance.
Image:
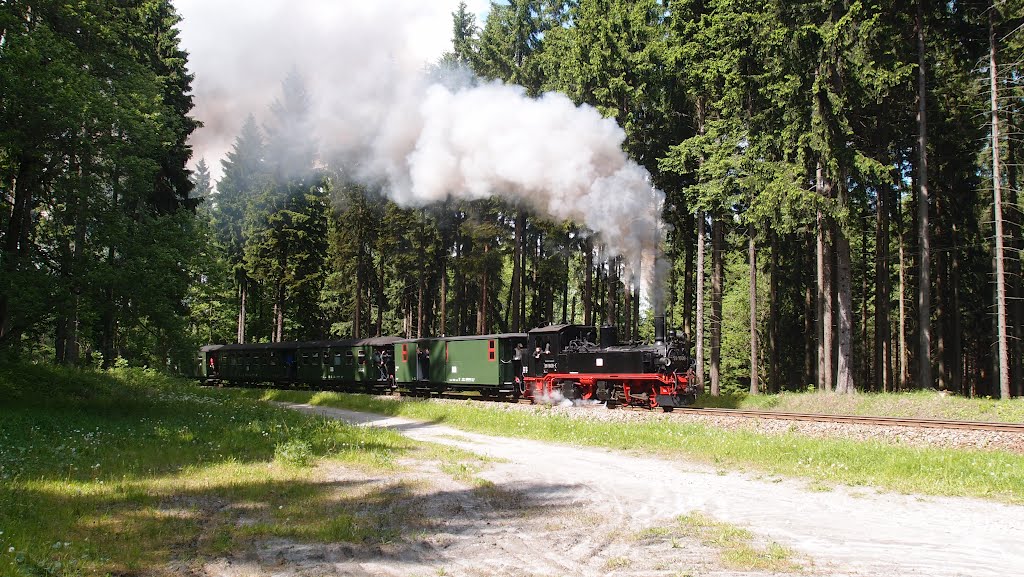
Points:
(558, 362)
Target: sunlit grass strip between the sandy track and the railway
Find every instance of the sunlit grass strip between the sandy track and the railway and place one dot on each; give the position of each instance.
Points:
(993, 475)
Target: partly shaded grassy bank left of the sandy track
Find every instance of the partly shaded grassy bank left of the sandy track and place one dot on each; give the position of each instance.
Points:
(121, 473)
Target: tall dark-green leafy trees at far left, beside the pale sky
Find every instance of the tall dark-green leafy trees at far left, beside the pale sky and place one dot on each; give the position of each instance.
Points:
(98, 232)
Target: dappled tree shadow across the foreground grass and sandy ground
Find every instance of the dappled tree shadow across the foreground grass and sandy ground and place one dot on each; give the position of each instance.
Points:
(131, 530)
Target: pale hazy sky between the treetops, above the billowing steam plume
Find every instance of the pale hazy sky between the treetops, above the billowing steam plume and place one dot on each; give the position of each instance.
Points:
(240, 51)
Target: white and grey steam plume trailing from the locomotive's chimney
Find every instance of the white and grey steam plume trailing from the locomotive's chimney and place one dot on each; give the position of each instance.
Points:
(421, 141)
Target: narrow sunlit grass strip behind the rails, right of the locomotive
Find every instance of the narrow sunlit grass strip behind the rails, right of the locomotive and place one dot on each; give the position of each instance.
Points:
(921, 404)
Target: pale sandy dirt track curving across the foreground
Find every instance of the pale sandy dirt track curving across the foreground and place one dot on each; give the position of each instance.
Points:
(568, 511)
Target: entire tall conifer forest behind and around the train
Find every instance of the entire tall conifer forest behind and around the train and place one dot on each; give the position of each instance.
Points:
(840, 179)
